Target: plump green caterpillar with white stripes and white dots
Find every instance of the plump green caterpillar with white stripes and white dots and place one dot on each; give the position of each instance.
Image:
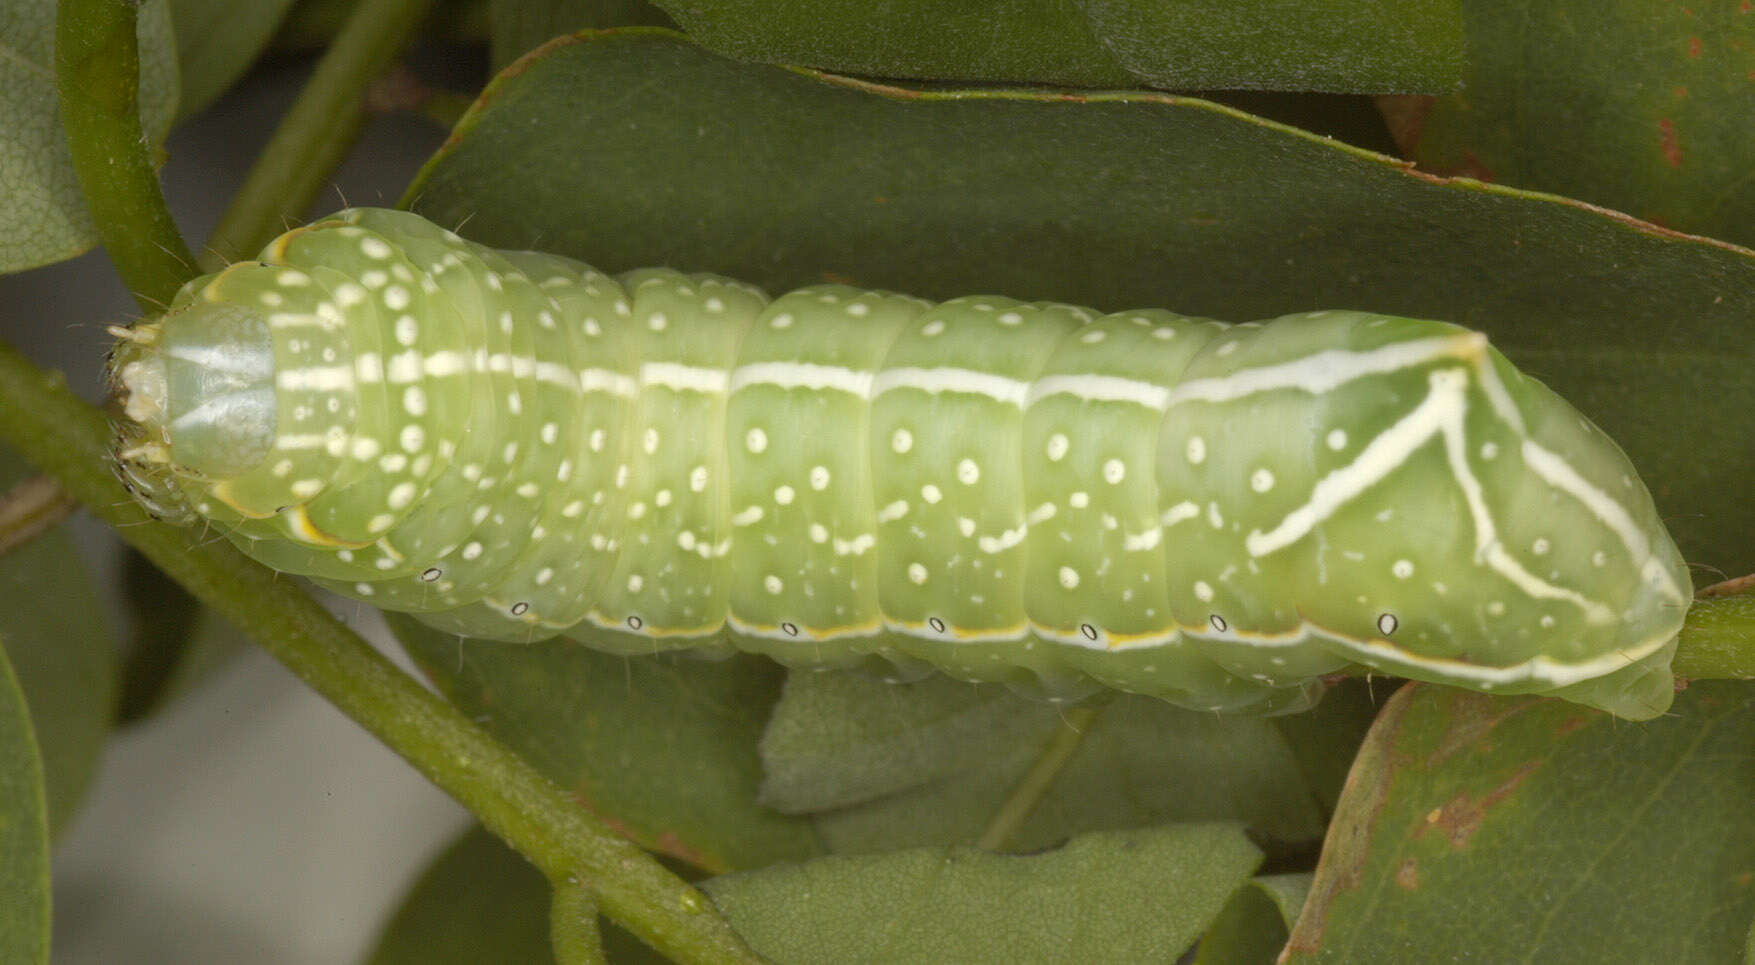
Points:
(515, 447)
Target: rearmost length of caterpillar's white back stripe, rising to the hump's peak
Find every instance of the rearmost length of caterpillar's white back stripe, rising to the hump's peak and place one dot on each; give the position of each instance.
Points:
(1324, 371)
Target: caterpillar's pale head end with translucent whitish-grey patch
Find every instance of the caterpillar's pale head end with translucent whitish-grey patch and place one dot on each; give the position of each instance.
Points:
(199, 403)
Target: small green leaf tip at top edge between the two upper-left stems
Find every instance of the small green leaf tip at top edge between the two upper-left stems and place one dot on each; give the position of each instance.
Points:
(217, 43)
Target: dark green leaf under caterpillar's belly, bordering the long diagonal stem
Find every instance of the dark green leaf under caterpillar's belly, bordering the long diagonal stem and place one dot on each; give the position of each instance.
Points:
(663, 747)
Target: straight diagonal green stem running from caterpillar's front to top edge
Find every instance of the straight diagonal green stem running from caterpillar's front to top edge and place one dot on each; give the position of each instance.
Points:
(317, 132)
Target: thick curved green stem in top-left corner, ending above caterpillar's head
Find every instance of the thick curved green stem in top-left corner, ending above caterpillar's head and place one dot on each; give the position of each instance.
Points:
(97, 68)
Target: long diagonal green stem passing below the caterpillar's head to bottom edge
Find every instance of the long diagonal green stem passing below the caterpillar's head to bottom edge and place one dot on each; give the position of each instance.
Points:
(69, 440)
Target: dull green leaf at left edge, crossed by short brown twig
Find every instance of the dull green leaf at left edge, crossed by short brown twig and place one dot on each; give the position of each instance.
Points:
(64, 652)
